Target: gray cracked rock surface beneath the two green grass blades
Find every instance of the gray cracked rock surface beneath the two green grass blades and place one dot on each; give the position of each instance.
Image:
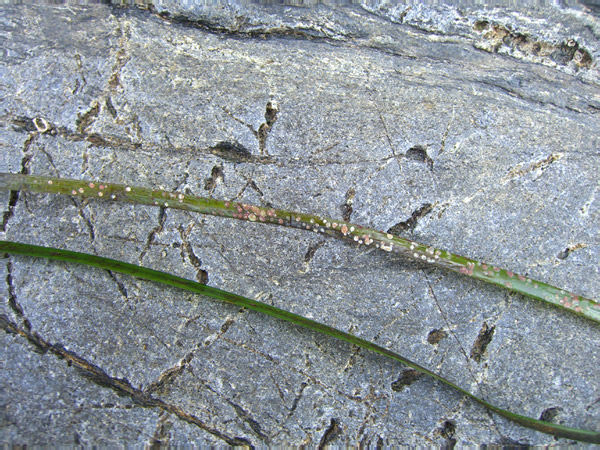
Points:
(489, 116)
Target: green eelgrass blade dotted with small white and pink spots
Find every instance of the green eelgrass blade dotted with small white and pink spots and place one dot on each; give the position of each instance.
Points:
(360, 235)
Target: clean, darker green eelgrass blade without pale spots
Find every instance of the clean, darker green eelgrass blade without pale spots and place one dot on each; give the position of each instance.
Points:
(192, 286)
